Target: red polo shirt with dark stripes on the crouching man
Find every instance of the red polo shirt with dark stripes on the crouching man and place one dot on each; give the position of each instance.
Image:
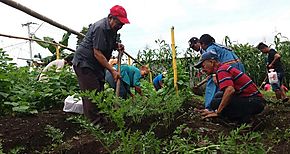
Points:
(230, 76)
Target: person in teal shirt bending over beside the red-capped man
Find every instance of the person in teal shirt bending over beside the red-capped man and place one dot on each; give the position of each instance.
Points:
(130, 77)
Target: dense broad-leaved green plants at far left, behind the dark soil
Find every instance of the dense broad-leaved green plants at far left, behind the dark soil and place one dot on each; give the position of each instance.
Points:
(22, 93)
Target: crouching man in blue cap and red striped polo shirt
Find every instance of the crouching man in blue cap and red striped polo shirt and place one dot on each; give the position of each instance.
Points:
(240, 99)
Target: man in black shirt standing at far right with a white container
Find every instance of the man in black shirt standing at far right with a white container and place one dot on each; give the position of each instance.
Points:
(275, 63)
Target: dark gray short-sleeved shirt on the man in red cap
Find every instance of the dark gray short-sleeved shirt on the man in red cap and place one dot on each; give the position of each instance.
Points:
(101, 37)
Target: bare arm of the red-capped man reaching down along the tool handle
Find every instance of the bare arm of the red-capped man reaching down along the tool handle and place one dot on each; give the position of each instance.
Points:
(103, 61)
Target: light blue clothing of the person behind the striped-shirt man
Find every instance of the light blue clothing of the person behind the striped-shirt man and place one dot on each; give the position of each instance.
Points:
(225, 54)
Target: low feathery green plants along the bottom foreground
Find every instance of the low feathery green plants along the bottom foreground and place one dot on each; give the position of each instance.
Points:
(183, 140)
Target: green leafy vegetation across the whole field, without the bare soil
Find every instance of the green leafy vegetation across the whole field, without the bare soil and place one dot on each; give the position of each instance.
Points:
(22, 94)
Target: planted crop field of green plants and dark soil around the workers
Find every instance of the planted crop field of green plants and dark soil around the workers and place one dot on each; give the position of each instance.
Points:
(32, 120)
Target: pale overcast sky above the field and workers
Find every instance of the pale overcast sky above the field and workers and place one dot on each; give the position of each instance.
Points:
(244, 21)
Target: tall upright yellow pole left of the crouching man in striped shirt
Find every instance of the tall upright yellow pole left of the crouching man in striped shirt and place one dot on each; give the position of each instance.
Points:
(174, 60)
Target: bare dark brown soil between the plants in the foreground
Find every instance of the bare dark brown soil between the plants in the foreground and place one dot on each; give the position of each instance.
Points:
(29, 131)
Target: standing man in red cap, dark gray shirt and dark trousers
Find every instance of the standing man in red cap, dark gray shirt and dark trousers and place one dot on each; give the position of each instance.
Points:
(92, 56)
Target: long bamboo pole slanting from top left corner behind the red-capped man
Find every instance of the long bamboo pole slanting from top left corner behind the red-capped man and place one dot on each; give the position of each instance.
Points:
(28, 11)
